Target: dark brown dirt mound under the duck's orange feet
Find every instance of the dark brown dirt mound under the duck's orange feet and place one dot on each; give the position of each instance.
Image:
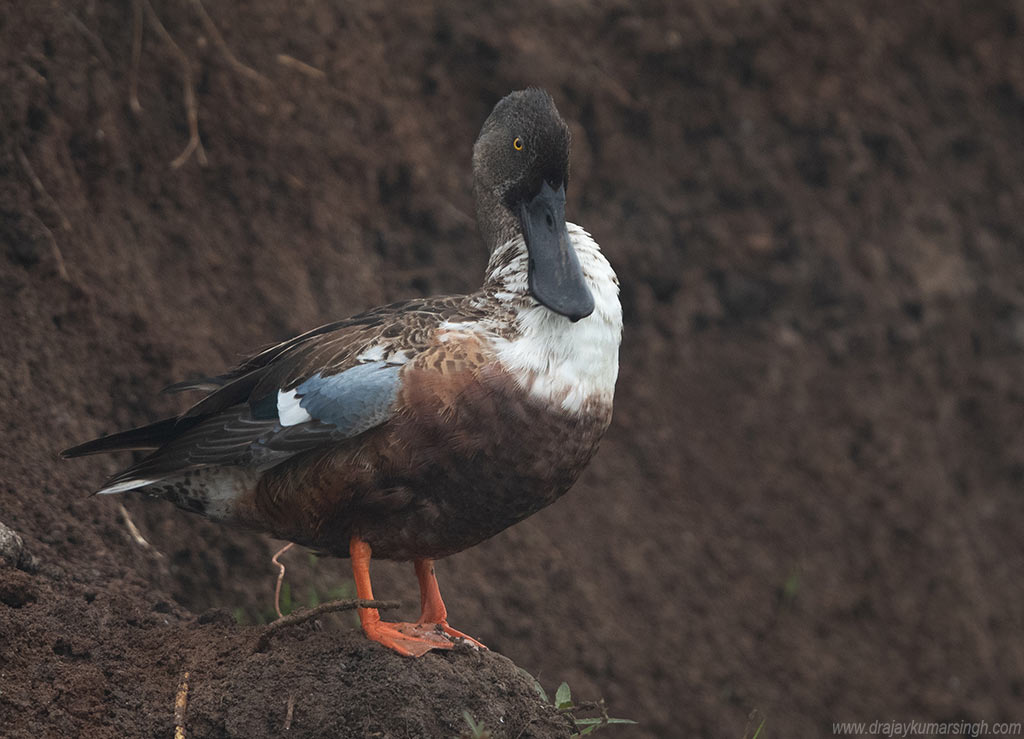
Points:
(106, 664)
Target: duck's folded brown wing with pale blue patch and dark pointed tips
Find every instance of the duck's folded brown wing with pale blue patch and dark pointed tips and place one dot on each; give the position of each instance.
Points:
(326, 385)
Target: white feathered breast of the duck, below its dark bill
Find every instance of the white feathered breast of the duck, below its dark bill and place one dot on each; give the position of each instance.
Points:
(557, 361)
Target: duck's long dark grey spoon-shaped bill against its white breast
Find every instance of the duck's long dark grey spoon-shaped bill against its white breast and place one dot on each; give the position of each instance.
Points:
(556, 278)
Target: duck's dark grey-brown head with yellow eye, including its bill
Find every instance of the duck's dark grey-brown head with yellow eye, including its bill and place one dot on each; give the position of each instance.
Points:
(521, 172)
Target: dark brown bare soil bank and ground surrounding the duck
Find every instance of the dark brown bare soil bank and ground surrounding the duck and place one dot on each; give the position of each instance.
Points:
(809, 505)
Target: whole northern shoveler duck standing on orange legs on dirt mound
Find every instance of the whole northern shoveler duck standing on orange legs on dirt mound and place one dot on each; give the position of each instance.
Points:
(418, 429)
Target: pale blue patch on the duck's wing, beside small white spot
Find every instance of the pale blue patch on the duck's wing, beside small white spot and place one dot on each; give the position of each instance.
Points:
(355, 401)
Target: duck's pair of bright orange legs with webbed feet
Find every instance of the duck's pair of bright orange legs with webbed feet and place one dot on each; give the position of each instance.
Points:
(410, 640)
